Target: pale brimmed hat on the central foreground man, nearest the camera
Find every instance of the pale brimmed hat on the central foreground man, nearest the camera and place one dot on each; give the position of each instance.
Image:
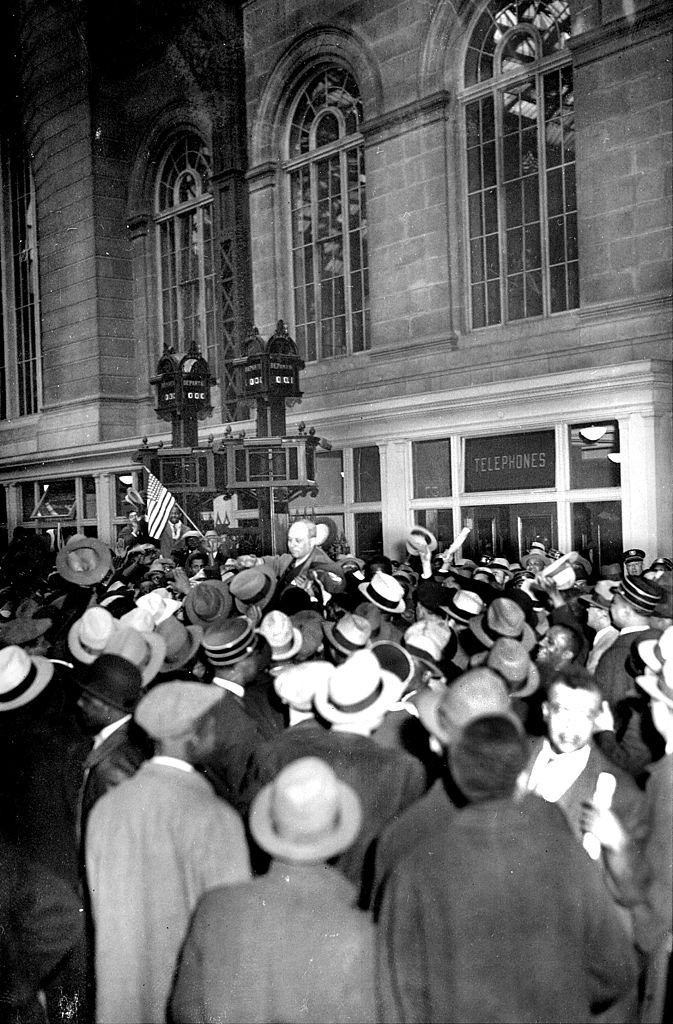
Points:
(307, 815)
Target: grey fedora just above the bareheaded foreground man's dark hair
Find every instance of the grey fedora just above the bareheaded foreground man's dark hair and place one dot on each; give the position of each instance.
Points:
(477, 693)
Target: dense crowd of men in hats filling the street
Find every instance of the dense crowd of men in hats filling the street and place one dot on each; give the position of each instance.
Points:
(314, 788)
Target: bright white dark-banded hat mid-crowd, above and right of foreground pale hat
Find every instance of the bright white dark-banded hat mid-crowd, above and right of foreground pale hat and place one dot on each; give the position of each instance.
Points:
(359, 689)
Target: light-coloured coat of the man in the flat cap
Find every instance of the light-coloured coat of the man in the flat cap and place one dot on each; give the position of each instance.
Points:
(154, 845)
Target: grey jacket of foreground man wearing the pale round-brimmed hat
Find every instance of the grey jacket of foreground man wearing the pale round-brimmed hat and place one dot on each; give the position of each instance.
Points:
(290, 947)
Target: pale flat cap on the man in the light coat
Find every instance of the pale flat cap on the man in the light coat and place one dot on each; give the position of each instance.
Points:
(174, 709)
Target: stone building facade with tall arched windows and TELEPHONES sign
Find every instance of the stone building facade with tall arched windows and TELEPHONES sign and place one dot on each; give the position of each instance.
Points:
(462, 211)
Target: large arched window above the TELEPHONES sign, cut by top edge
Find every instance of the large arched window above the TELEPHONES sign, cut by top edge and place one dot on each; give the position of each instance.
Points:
(522, 206)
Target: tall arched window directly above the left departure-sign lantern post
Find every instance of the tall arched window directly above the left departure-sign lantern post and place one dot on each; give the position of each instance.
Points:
(185, 221)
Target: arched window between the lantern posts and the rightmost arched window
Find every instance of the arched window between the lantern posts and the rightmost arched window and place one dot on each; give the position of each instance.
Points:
(326, 167)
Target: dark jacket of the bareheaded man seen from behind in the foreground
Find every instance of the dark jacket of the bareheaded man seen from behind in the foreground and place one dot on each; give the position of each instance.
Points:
(501, 917)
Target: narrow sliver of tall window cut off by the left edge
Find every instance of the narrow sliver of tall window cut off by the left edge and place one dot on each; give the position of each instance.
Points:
(20, 314)
